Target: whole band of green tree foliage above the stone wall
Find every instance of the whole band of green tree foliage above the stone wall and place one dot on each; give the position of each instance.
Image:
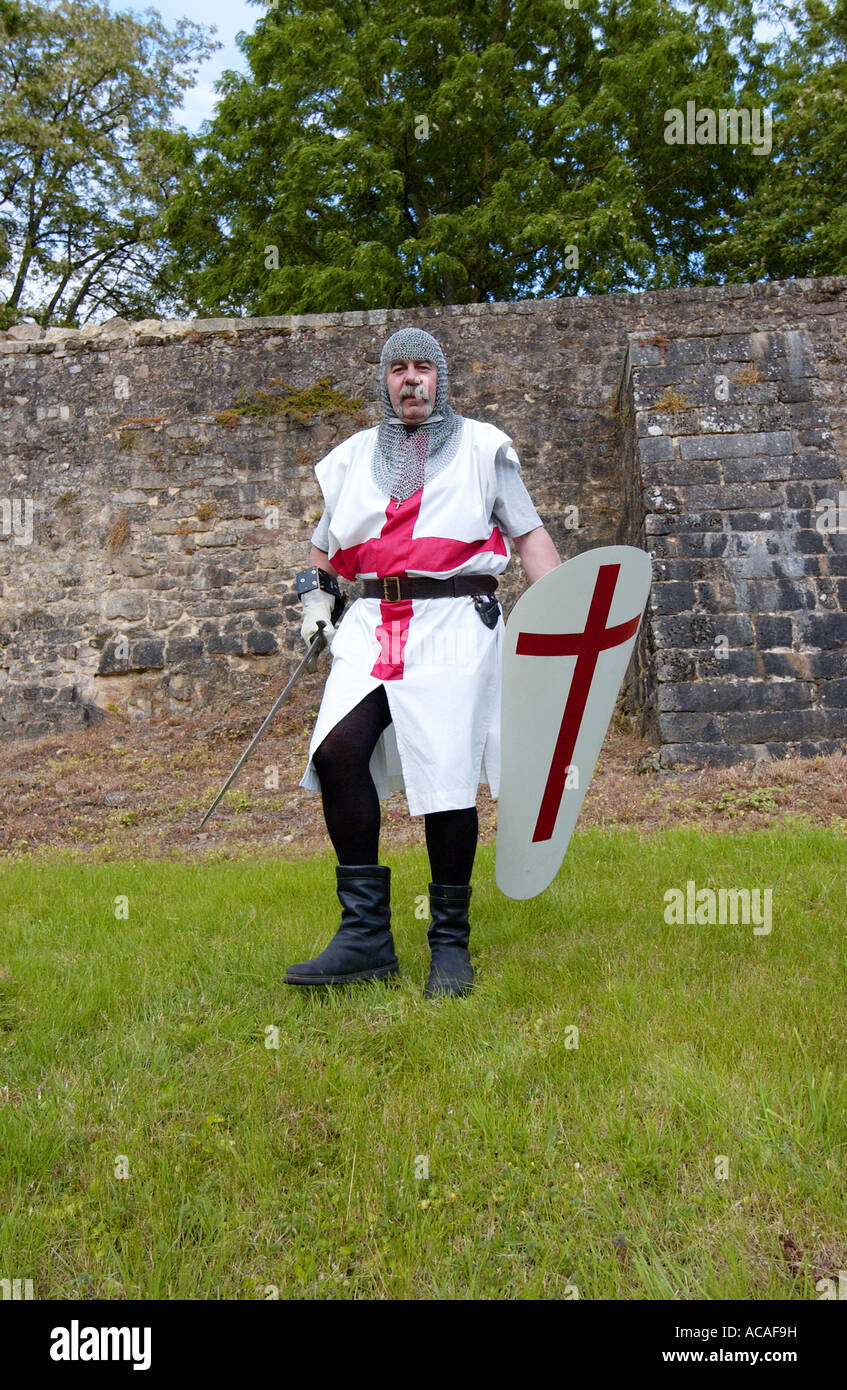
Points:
(380, 155)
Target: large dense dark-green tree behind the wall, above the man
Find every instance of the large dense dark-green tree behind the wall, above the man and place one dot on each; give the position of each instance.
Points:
(461, 151)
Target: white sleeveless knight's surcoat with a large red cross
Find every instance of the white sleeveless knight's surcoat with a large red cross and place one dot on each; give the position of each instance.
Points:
(439, 662)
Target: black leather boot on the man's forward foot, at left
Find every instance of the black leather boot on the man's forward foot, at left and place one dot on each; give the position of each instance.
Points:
(364, 947)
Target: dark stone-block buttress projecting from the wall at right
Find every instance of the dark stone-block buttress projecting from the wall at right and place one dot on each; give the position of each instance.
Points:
(729, 448)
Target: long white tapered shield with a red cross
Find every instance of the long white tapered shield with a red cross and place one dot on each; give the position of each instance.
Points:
(568, 644)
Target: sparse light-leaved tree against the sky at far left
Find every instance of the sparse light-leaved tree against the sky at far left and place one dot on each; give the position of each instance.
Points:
(88, 158)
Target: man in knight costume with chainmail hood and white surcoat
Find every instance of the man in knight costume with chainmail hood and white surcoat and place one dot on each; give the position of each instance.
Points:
(422, 509)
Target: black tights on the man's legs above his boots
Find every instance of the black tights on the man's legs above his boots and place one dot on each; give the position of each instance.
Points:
(353, 804)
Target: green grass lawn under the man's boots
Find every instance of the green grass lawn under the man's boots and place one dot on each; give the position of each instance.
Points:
(554, 1170)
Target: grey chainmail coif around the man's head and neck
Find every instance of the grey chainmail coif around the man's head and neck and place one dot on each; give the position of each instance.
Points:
(407, 457)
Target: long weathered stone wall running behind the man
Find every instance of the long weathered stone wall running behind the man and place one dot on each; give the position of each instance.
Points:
(169, 468)
